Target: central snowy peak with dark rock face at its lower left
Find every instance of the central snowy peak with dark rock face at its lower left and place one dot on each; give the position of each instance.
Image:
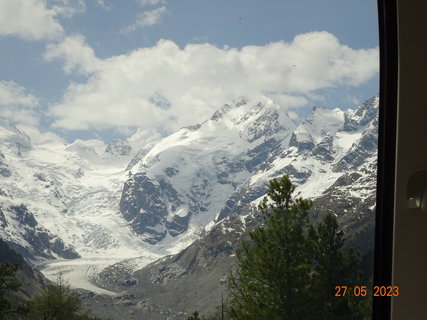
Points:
(186, 179)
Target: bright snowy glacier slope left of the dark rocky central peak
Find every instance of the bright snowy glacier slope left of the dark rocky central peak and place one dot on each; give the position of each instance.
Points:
(61, 200)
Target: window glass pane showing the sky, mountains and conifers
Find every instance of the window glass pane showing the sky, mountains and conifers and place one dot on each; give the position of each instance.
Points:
(139, 139)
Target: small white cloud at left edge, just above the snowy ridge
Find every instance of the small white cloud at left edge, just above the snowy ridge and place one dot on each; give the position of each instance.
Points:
(16, 104)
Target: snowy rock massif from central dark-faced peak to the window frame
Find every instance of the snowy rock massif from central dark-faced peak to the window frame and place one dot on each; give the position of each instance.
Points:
(209, 171)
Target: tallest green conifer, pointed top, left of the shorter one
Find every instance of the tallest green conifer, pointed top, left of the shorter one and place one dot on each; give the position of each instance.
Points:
(272, 281)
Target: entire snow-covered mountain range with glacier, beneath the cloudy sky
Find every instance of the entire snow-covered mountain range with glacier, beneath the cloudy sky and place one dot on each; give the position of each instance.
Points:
(195, 189)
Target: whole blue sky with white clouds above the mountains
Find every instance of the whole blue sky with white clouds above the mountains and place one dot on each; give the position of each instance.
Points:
(107, 68)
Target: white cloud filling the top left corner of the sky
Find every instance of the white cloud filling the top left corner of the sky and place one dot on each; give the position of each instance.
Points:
(29, 19)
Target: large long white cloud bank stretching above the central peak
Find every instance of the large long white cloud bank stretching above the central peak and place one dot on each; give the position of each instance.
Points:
(192, 82)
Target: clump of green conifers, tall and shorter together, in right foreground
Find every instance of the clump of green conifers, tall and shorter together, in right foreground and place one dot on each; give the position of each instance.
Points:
(289, 269)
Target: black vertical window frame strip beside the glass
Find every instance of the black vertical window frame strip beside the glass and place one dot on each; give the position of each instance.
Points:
(388, 35)
